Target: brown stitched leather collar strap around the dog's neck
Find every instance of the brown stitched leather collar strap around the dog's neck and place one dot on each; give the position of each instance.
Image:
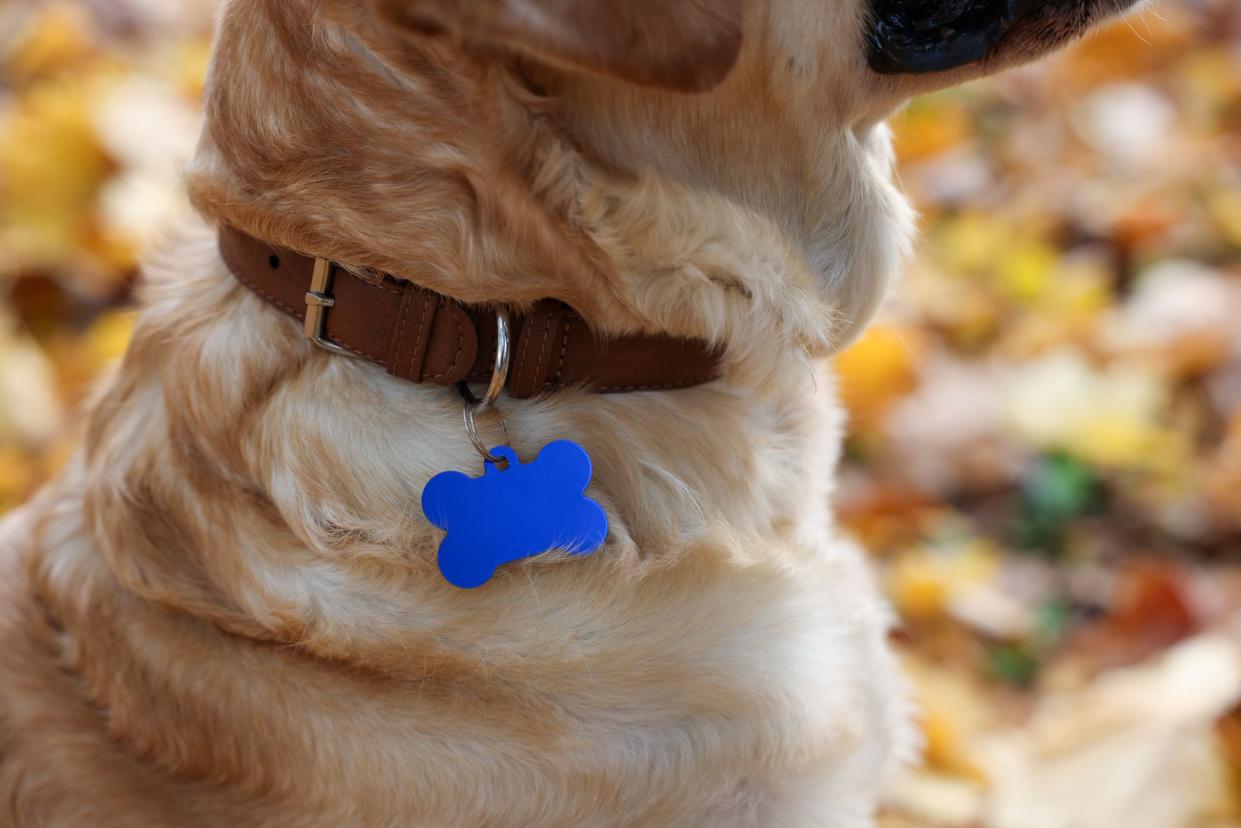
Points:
(425, 337)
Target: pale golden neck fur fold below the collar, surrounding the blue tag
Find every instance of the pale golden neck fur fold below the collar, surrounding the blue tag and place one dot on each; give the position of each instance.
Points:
(238, 474)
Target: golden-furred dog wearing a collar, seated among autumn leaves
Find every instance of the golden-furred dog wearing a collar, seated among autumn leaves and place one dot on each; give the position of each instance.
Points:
(226, 611)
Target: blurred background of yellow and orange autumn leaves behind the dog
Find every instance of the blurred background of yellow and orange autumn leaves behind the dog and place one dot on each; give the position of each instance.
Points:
(1046, 451)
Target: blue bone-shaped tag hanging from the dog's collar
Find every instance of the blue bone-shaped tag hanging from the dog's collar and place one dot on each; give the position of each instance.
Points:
(517, 513)
